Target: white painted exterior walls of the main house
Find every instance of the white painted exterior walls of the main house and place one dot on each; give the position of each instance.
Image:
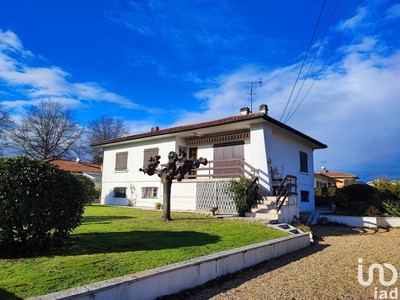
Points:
(264, 144)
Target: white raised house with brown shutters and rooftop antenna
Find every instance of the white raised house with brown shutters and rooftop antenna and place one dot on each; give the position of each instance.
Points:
(246, 144)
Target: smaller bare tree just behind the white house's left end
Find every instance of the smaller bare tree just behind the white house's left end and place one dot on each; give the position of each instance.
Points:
(101, 129)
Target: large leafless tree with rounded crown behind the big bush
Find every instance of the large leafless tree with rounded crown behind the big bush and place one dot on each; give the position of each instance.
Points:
(47, 130)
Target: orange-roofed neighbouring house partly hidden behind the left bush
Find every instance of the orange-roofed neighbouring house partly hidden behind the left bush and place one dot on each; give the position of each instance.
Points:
(93, 171)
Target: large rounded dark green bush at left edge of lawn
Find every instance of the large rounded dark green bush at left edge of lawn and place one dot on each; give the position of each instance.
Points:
(40, 205)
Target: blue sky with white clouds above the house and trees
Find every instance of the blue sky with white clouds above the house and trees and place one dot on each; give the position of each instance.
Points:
(330, 69)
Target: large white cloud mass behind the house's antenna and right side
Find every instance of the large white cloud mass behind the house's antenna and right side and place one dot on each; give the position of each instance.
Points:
(353, 107)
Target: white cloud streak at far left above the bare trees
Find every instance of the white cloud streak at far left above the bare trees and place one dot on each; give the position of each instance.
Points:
(36, 83)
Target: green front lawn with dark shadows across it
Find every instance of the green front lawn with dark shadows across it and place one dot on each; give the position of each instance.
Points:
(114, 241)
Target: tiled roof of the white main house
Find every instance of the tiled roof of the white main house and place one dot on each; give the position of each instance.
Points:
(224, 121)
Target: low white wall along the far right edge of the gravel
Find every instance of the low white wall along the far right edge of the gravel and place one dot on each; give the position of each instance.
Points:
(354, 221)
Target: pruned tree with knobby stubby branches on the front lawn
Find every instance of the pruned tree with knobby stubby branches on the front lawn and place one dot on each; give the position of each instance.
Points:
(169, 173)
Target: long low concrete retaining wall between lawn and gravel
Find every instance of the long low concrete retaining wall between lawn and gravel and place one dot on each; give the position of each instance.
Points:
(188, 274)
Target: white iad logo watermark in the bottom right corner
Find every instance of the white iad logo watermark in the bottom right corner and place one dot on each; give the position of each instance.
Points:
(383, 294)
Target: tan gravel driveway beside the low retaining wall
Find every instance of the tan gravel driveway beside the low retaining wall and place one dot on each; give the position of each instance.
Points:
(326, 270)
